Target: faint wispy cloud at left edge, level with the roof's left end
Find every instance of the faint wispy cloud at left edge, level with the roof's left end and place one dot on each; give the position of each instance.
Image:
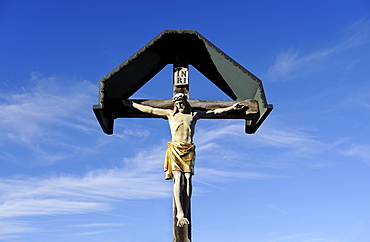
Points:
(46, 101)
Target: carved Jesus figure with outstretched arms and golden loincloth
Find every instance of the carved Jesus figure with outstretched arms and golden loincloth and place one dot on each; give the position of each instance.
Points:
(180, 154)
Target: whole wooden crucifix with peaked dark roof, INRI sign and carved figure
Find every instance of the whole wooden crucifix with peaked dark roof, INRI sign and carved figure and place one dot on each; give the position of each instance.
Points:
(181, 112)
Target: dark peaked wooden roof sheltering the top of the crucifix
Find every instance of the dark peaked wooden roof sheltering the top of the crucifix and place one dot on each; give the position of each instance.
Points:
(233, 79)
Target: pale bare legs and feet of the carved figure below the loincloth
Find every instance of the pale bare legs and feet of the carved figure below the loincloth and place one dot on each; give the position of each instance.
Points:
(182, 189)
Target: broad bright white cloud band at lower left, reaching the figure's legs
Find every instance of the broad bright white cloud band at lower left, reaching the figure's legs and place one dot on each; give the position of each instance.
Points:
(98, 191)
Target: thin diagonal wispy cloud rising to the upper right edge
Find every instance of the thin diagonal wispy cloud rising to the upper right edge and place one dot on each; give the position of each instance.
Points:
(291, 62)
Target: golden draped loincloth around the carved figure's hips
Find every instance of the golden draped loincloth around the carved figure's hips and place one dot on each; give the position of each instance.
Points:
(180, 156)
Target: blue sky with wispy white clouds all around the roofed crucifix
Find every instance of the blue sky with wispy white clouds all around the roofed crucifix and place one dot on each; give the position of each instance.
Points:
(303, 176)
